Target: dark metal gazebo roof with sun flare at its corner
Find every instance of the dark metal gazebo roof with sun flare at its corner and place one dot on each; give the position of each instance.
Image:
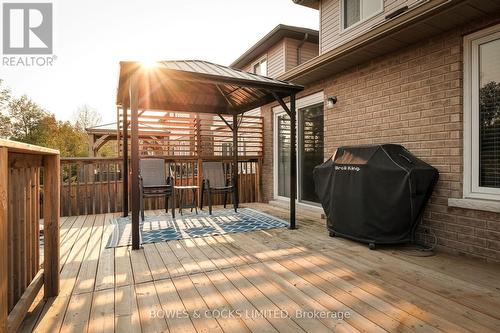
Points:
(198, 86)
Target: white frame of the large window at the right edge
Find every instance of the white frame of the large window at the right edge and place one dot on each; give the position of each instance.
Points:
(471, 115)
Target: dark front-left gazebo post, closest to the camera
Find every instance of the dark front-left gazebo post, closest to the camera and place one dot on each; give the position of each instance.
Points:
(134, 149)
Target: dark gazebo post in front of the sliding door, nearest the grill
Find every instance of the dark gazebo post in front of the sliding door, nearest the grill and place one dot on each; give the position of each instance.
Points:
(293, 160)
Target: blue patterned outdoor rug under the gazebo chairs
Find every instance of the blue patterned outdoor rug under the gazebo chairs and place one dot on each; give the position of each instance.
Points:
(161, 228)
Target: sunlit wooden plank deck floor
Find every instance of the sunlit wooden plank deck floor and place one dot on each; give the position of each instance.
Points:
(106, 290)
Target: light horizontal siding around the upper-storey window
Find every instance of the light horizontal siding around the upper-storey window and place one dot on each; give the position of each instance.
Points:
(331, 34)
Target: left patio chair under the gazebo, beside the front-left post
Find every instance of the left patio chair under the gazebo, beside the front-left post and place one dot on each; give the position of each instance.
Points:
(154, 183)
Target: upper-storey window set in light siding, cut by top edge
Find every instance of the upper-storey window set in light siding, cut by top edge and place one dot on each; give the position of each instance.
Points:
(356, 11)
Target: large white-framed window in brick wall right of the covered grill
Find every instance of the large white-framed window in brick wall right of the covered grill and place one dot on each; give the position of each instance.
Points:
(482, 114)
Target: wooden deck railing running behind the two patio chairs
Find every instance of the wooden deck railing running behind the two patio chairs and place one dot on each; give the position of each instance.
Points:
(94, 185)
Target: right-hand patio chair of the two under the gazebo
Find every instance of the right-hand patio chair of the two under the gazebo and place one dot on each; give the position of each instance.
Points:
(215, 181)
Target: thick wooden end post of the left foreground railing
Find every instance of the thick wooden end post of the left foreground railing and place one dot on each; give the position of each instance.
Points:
(51, 225)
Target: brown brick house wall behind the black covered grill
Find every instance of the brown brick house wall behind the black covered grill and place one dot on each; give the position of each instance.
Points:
(412, 97)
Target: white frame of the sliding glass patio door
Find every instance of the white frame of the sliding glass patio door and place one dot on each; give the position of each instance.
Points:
(278, 111)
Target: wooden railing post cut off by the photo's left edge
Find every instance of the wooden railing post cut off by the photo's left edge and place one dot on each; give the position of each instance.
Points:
(4, 179)
